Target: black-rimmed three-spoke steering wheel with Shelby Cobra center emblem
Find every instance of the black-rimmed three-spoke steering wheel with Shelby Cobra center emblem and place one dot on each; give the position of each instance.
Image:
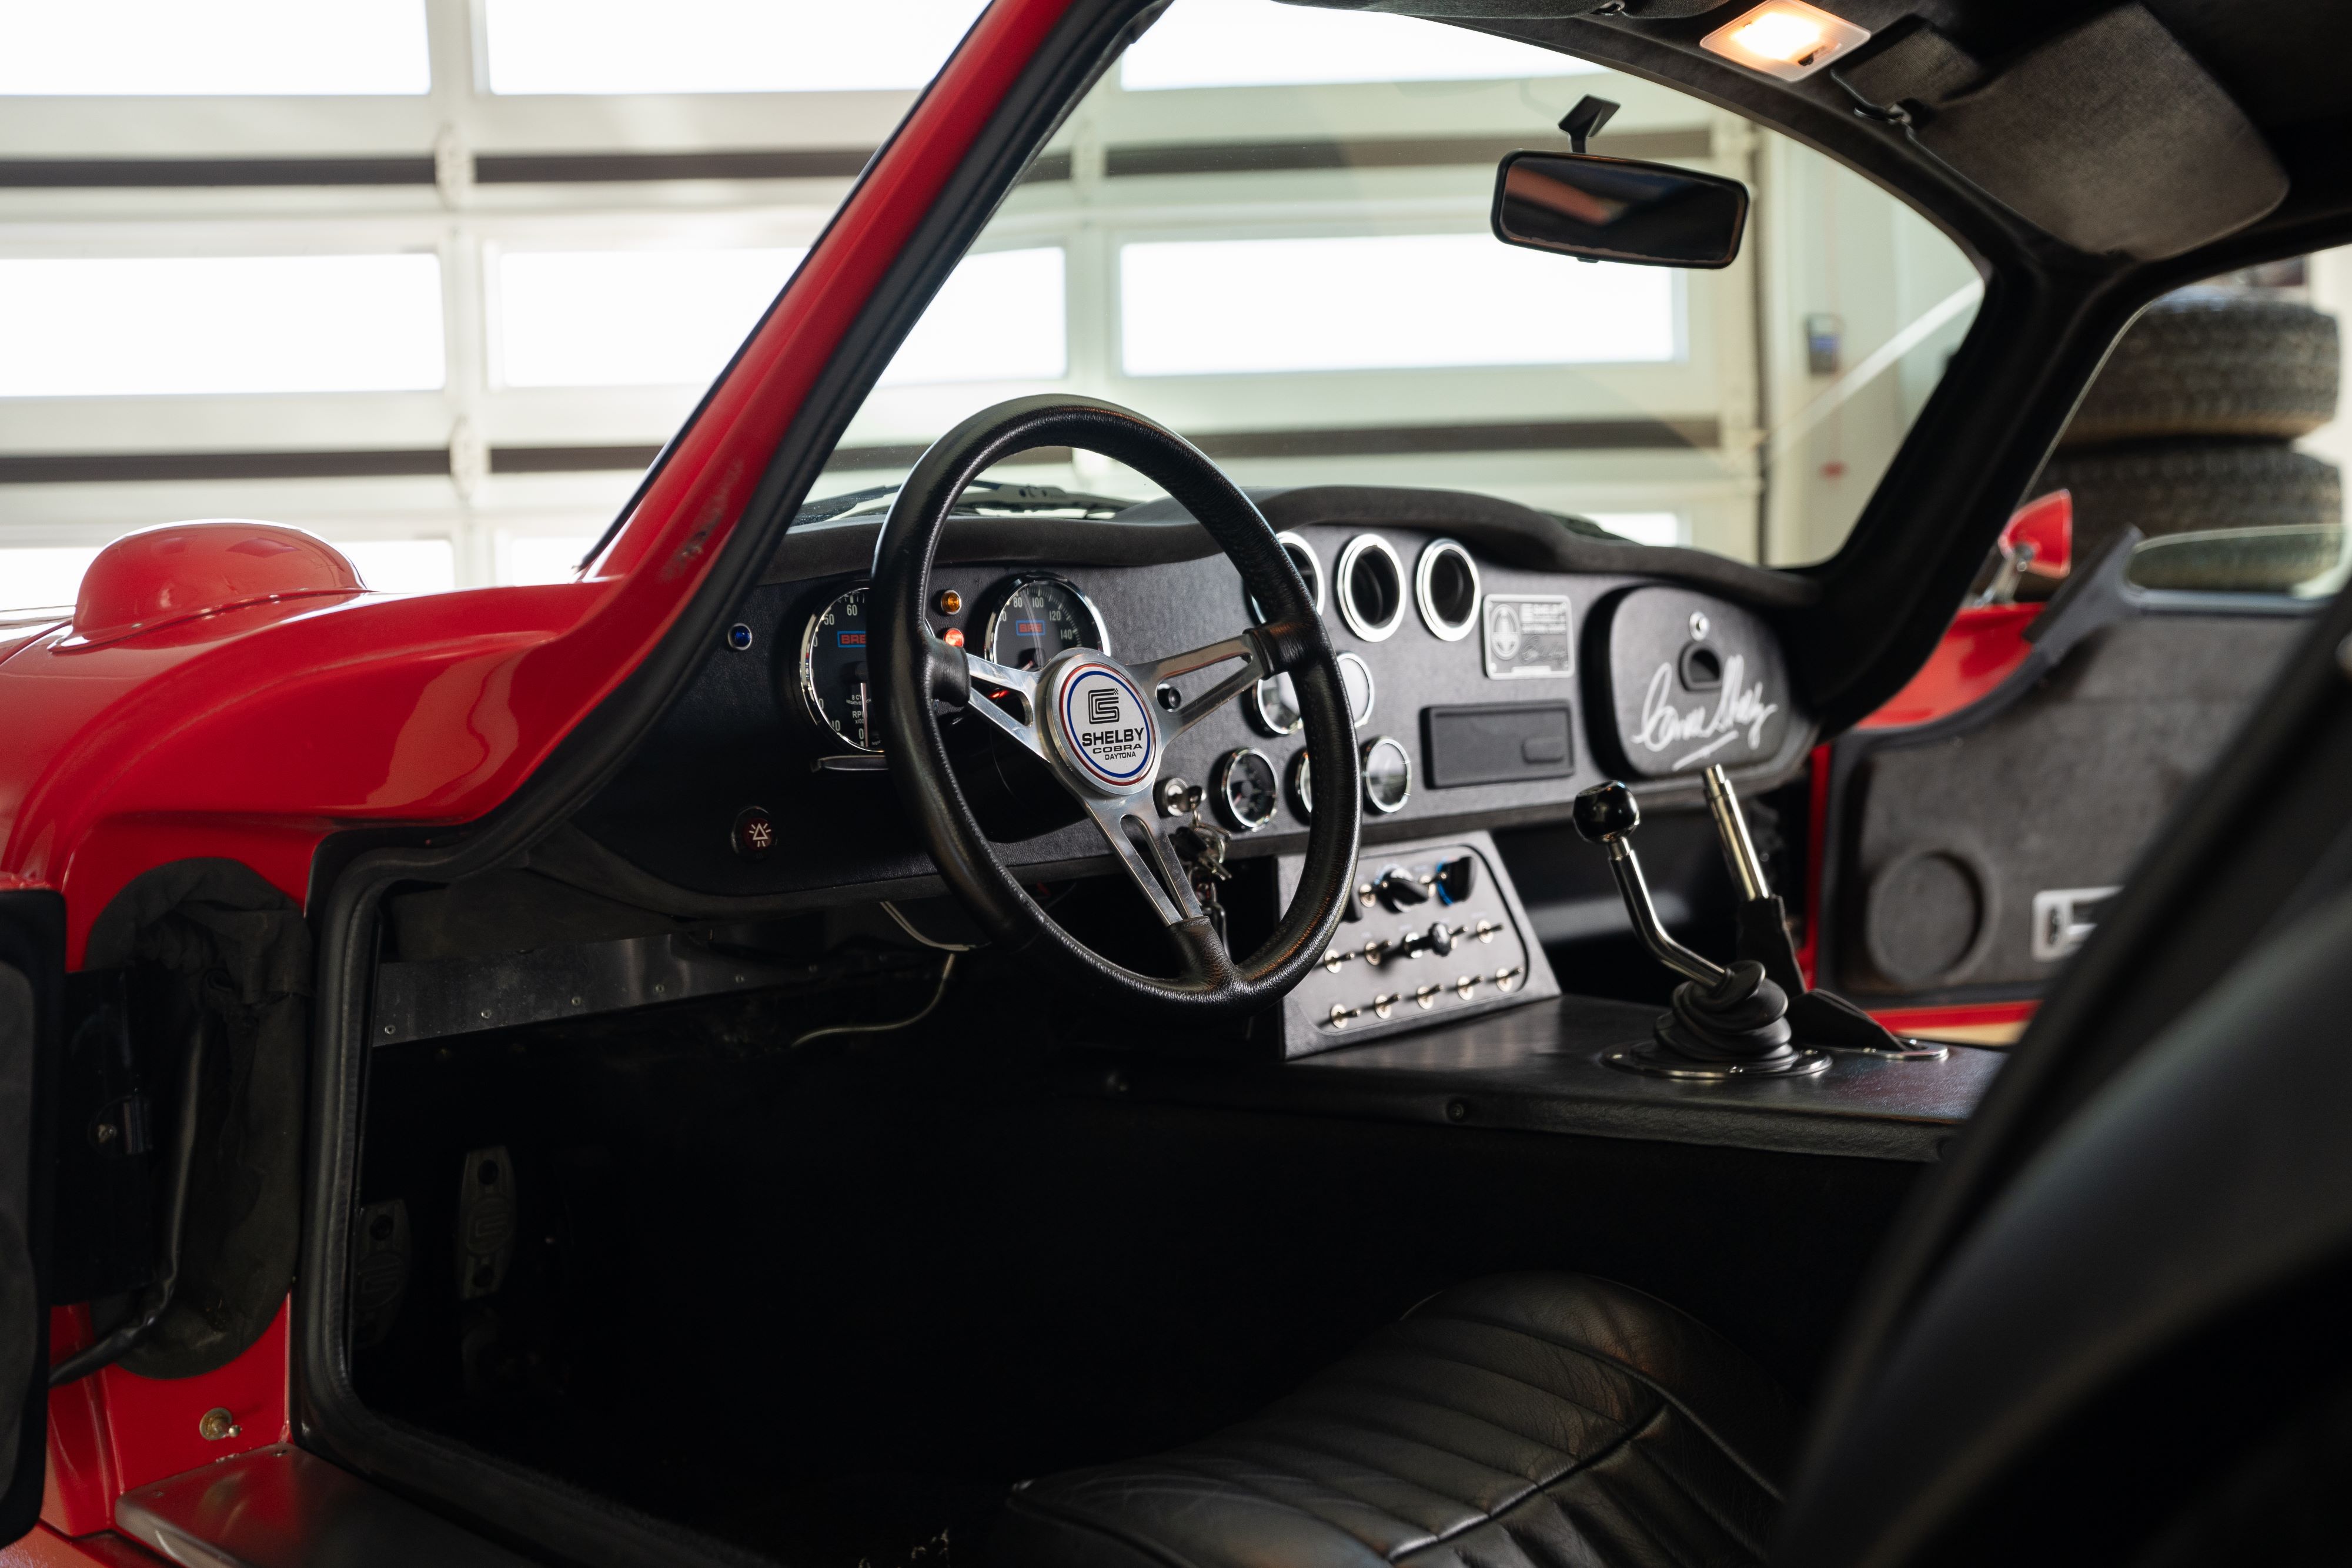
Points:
(1095, 723)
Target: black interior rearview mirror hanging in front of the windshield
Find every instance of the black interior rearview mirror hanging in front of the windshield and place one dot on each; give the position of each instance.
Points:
(1619, 210)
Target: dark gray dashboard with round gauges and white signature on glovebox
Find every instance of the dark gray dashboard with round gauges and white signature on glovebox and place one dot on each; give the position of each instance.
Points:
(1570, 674)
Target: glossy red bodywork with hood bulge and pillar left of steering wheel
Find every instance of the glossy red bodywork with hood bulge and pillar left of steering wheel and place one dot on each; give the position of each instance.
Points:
(260, 728)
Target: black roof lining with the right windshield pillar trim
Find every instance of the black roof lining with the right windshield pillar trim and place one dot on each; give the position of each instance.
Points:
(2050, 311)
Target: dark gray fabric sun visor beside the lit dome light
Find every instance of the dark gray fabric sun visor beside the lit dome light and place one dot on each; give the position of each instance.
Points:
(2111, 135)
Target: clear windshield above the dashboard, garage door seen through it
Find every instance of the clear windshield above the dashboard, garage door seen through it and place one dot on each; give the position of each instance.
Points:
(1269, 227)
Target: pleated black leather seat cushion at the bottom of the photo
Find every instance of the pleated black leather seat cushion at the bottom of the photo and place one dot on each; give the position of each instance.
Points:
(1525, 1421)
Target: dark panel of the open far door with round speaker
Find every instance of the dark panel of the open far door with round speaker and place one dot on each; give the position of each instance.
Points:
(1972, 855)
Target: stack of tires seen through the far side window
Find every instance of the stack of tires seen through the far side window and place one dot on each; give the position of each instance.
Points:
(2191, 422)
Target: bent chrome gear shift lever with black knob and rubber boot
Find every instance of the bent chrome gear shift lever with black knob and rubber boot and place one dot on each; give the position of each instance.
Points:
(1725, 1021)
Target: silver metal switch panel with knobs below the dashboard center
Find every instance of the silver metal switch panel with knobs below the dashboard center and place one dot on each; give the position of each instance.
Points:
(1434, 934)
